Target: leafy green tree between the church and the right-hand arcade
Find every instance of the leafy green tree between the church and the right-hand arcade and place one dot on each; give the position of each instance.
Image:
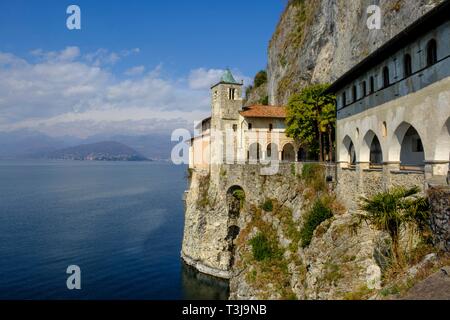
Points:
(310, 114)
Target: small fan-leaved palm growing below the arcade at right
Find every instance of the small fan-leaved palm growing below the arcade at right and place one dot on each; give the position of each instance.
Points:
(393, 210)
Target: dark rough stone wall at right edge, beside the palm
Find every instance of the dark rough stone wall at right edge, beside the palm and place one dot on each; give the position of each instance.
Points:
(440, 216)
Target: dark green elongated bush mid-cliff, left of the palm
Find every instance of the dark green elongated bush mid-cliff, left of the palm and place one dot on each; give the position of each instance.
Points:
(318, 214)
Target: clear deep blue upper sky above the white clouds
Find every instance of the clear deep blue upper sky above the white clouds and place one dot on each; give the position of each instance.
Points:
(181, 35)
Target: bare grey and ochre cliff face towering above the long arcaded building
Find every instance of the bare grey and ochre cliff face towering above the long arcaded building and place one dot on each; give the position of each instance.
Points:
(319, 40)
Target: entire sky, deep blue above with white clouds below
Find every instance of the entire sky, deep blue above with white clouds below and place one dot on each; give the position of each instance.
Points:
(135, 67)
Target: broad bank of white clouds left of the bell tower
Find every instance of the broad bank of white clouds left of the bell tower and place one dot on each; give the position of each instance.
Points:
(65, 92)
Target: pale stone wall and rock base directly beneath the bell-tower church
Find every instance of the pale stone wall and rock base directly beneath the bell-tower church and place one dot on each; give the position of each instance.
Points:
(206, 243)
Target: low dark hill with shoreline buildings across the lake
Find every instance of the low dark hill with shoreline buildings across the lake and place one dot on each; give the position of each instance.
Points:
(100, 151)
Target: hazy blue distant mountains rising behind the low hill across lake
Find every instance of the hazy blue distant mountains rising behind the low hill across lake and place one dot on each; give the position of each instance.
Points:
(27, 144)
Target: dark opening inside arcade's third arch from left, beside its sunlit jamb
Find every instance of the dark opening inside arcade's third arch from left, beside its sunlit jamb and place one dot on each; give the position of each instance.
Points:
(412, 155)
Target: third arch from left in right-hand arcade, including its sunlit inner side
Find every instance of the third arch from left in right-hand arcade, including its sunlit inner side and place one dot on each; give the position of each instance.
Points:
(407, 147)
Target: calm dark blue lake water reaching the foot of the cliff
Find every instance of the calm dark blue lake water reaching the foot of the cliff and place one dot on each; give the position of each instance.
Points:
(120, 222)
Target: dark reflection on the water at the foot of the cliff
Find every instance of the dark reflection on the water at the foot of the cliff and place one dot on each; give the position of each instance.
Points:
(199, 286)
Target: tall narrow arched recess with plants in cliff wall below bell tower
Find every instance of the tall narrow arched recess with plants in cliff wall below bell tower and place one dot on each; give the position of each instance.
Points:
(235, 201)
